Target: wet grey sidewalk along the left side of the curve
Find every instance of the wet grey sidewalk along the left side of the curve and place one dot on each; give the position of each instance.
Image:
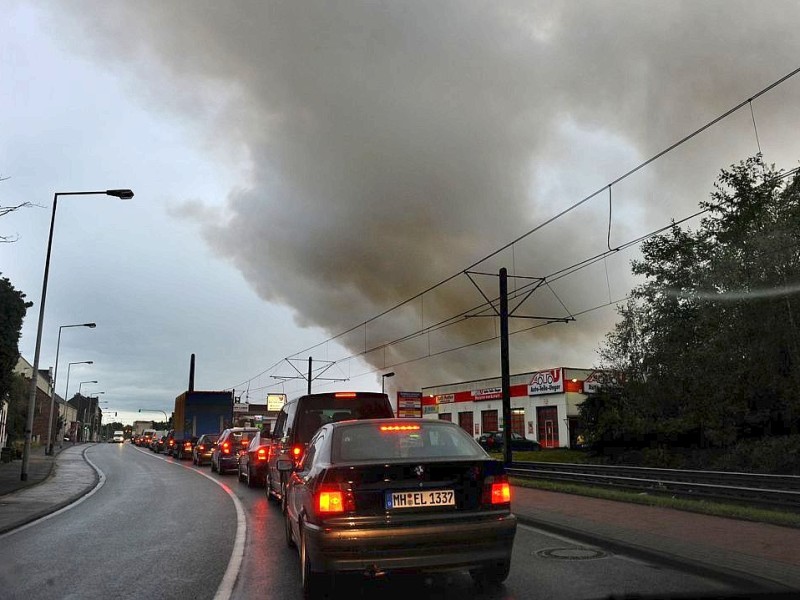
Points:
(53, 482)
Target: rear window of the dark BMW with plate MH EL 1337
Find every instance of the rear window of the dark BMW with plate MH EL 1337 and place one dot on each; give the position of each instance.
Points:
(398, 441)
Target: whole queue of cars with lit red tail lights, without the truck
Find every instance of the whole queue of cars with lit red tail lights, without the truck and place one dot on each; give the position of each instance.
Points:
(363, 492)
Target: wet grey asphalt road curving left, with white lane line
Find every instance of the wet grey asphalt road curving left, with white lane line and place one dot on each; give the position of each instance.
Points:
(161, 529)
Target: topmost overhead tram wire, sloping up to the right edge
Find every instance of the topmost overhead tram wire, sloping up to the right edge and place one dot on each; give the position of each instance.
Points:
(560, 214)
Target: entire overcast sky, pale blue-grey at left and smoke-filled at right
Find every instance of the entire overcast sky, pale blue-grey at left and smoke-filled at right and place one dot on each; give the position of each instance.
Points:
(300, 167)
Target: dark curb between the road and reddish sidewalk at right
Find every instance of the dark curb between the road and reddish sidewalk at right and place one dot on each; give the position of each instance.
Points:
(746, 581)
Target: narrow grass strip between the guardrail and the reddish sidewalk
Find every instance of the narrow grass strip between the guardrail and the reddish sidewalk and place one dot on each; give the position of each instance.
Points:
(717, 509)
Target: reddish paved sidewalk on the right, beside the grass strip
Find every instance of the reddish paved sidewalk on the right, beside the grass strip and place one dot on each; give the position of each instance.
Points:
(741, 550)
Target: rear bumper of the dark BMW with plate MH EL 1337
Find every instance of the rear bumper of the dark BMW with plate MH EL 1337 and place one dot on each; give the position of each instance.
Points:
(461, 544)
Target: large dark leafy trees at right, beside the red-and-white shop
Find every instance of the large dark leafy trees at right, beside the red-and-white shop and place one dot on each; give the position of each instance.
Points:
(709, 341)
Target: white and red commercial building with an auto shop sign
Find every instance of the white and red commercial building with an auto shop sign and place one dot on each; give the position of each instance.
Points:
(544, 404)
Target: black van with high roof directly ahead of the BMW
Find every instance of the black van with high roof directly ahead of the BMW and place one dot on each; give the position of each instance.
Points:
(300, 418)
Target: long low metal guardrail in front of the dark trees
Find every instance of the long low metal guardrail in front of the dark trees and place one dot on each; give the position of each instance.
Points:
(753, 489)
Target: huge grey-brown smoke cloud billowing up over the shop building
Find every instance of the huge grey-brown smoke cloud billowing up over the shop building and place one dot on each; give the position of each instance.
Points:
(392, 144)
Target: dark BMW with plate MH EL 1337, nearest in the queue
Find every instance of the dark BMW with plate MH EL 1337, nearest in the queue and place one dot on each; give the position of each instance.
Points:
(422, 496)
